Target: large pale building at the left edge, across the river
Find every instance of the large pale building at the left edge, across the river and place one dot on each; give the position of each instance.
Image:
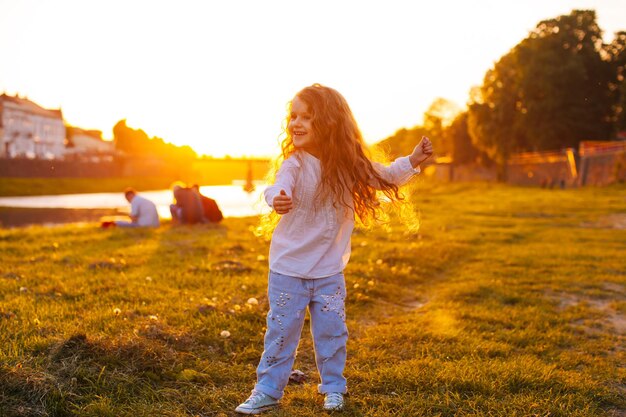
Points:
(27, 130)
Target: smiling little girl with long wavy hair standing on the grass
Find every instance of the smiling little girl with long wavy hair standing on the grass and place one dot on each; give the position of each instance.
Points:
(324, 182)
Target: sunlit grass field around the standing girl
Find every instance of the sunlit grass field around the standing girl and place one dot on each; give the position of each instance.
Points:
(508, 302)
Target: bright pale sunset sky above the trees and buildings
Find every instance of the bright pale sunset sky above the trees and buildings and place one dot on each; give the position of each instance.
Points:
(217, 75)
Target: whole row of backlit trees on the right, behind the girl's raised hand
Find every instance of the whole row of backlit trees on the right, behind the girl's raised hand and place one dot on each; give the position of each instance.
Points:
(560, 85)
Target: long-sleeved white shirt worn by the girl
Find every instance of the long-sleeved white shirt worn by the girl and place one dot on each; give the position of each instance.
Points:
(313, 239)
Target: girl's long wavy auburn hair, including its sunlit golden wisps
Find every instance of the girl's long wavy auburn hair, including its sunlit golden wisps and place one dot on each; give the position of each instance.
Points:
(346, 166)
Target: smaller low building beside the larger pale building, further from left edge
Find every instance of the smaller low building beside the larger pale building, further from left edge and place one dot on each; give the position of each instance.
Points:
(89, 144)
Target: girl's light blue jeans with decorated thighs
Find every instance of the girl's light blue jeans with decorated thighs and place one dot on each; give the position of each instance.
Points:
(289, 298)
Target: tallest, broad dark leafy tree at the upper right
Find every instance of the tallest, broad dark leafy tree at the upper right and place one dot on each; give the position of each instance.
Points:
(550, 91)
